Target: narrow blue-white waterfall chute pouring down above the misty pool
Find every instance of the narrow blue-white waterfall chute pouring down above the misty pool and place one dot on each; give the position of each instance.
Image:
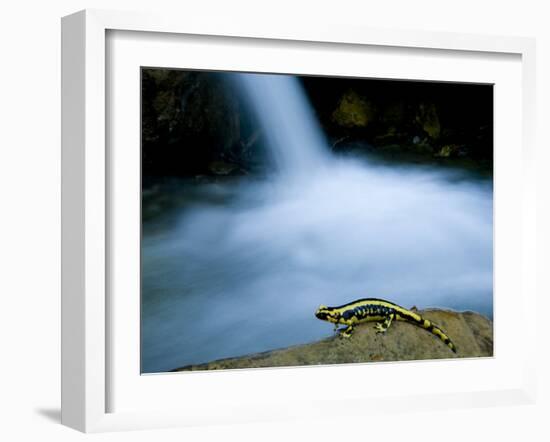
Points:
(296, 141)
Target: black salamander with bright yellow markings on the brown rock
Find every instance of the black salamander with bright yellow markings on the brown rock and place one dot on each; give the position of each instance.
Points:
(379, 311)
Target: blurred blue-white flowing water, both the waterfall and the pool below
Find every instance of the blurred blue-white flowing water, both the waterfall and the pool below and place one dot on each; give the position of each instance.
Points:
(242, 265)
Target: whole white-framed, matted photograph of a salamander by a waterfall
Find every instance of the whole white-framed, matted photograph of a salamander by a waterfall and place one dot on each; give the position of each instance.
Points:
(253, 213)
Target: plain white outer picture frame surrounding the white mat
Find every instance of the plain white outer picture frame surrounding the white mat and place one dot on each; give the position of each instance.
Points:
(86, 204)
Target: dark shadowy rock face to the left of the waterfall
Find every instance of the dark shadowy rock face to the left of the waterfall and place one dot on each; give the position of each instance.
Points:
(189, 120)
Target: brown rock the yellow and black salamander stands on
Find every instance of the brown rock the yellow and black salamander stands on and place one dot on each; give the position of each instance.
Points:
(471, 332)
